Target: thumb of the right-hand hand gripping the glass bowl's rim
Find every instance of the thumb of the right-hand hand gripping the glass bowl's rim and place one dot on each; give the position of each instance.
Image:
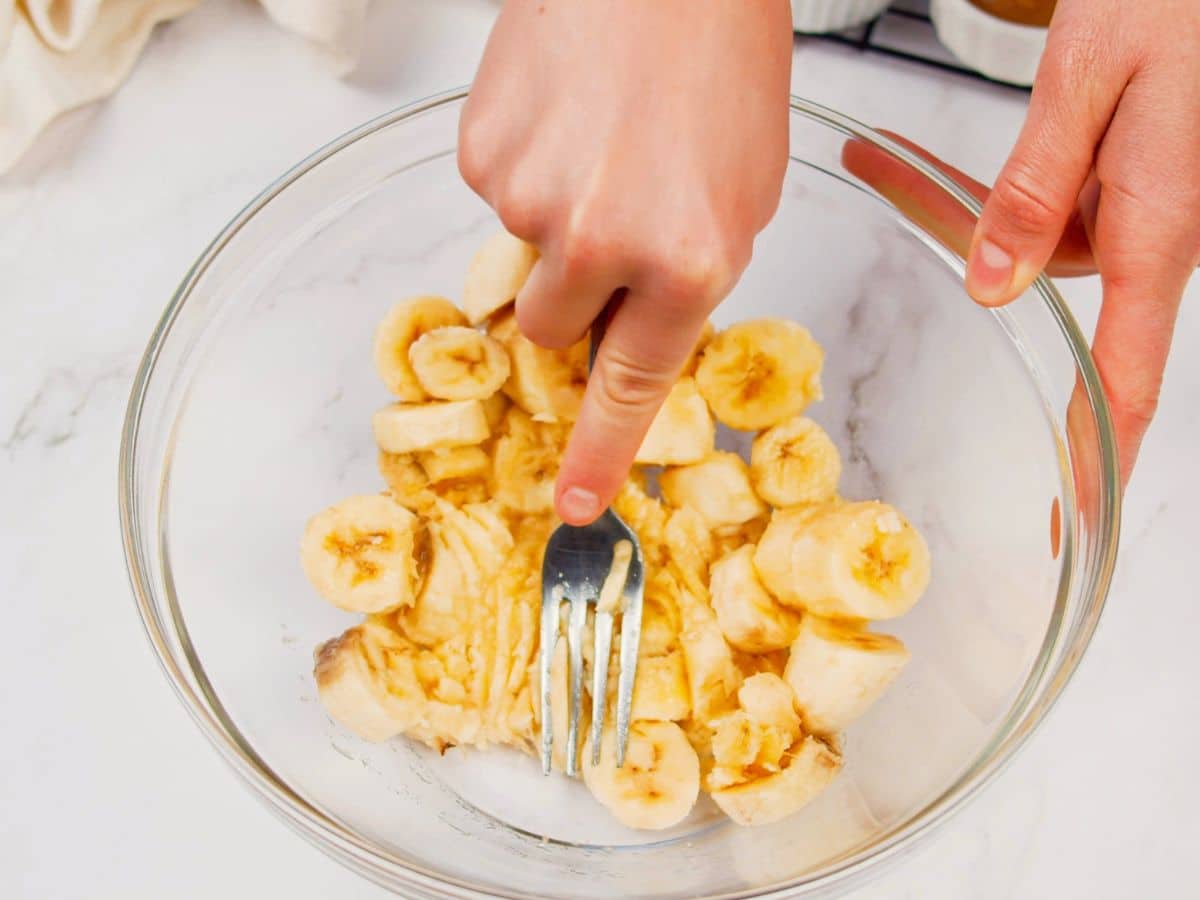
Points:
(1037, 193)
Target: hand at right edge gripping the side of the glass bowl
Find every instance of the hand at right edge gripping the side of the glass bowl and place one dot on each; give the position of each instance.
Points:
(1108, 170)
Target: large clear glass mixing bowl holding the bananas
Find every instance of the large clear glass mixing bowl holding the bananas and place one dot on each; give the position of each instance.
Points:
(253, 409)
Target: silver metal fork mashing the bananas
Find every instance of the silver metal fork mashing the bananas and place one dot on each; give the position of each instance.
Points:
(579, 568)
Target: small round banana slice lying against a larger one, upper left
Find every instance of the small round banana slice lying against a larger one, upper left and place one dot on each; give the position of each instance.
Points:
(458, 363)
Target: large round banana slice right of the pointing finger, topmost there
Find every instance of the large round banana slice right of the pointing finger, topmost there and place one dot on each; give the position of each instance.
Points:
(761, 373)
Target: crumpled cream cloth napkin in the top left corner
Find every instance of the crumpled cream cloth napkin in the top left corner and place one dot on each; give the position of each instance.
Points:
(61, 55)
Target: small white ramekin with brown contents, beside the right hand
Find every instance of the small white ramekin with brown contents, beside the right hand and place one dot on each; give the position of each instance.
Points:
(999, 50)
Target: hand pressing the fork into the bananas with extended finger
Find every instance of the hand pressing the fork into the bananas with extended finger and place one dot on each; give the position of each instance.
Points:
(641, 147)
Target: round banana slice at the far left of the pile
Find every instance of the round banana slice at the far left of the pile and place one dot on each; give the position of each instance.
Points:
(359, 554)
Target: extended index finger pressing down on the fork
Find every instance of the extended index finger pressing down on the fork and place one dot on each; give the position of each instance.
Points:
(645, 347)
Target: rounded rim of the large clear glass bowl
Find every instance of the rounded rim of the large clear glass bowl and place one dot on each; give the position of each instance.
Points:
(339, 839)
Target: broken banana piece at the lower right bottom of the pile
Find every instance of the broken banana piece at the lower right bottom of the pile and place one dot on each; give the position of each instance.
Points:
(807, 771)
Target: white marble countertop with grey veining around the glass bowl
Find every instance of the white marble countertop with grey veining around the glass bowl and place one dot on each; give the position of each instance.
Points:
(109, 790)
